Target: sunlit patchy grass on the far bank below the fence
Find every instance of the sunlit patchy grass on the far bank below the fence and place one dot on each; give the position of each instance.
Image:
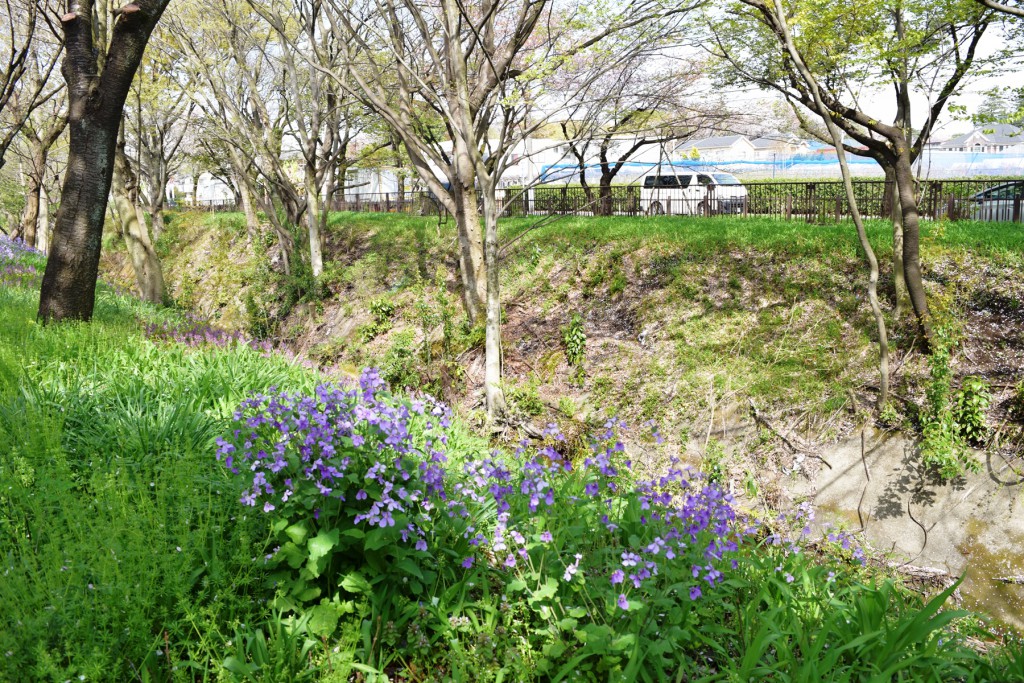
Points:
(776, 309)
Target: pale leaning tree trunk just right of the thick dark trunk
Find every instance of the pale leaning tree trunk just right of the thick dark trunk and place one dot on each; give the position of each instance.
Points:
(149, 275)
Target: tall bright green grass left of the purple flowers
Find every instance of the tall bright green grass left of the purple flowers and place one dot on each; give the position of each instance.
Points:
(119, 537)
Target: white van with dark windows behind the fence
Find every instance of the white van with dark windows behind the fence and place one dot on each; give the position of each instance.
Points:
(689, 193)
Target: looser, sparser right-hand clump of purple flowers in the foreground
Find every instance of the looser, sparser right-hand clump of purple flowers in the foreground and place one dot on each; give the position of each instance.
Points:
(679, 517)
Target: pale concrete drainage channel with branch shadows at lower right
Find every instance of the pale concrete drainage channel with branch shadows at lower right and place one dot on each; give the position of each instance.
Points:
(974, 525)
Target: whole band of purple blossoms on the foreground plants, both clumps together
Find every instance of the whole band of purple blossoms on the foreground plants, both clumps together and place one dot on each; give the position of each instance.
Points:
(356, 456)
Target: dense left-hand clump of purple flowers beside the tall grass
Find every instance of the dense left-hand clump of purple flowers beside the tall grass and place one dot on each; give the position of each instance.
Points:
(353, 445)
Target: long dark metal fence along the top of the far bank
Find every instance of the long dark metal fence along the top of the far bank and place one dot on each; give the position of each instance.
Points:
(818, 202)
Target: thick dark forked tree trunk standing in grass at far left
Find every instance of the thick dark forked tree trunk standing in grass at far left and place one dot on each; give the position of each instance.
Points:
(97, 102)
